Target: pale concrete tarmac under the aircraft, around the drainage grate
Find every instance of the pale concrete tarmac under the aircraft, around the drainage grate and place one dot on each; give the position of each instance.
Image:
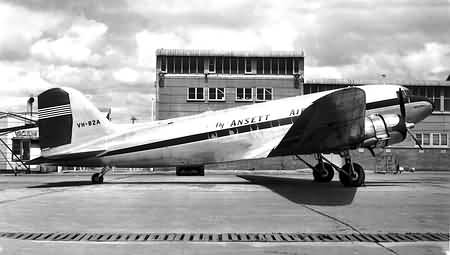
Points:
(258, 202)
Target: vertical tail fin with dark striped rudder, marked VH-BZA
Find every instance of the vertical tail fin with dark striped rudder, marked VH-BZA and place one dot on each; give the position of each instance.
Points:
(67, 117)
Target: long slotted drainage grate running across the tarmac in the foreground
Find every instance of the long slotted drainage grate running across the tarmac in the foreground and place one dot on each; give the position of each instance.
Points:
(227, 237)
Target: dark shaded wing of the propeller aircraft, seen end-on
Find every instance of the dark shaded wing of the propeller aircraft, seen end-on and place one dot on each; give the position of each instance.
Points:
(333, 123)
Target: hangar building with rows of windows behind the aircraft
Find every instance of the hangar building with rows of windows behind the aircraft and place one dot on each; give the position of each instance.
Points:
(194, 81)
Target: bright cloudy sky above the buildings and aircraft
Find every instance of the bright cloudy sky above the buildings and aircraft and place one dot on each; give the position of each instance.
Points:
(106, 48)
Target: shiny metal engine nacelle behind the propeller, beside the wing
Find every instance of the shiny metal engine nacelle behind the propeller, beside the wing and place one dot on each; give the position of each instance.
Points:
(383, 130)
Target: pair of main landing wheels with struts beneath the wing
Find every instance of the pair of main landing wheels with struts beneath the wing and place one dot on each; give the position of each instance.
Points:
(350, 175)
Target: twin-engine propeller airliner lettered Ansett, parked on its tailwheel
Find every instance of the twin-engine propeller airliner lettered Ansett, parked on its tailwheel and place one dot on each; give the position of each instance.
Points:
(74, 133)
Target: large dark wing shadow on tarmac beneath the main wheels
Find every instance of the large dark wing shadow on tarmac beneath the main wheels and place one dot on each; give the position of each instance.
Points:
(303, 191)
